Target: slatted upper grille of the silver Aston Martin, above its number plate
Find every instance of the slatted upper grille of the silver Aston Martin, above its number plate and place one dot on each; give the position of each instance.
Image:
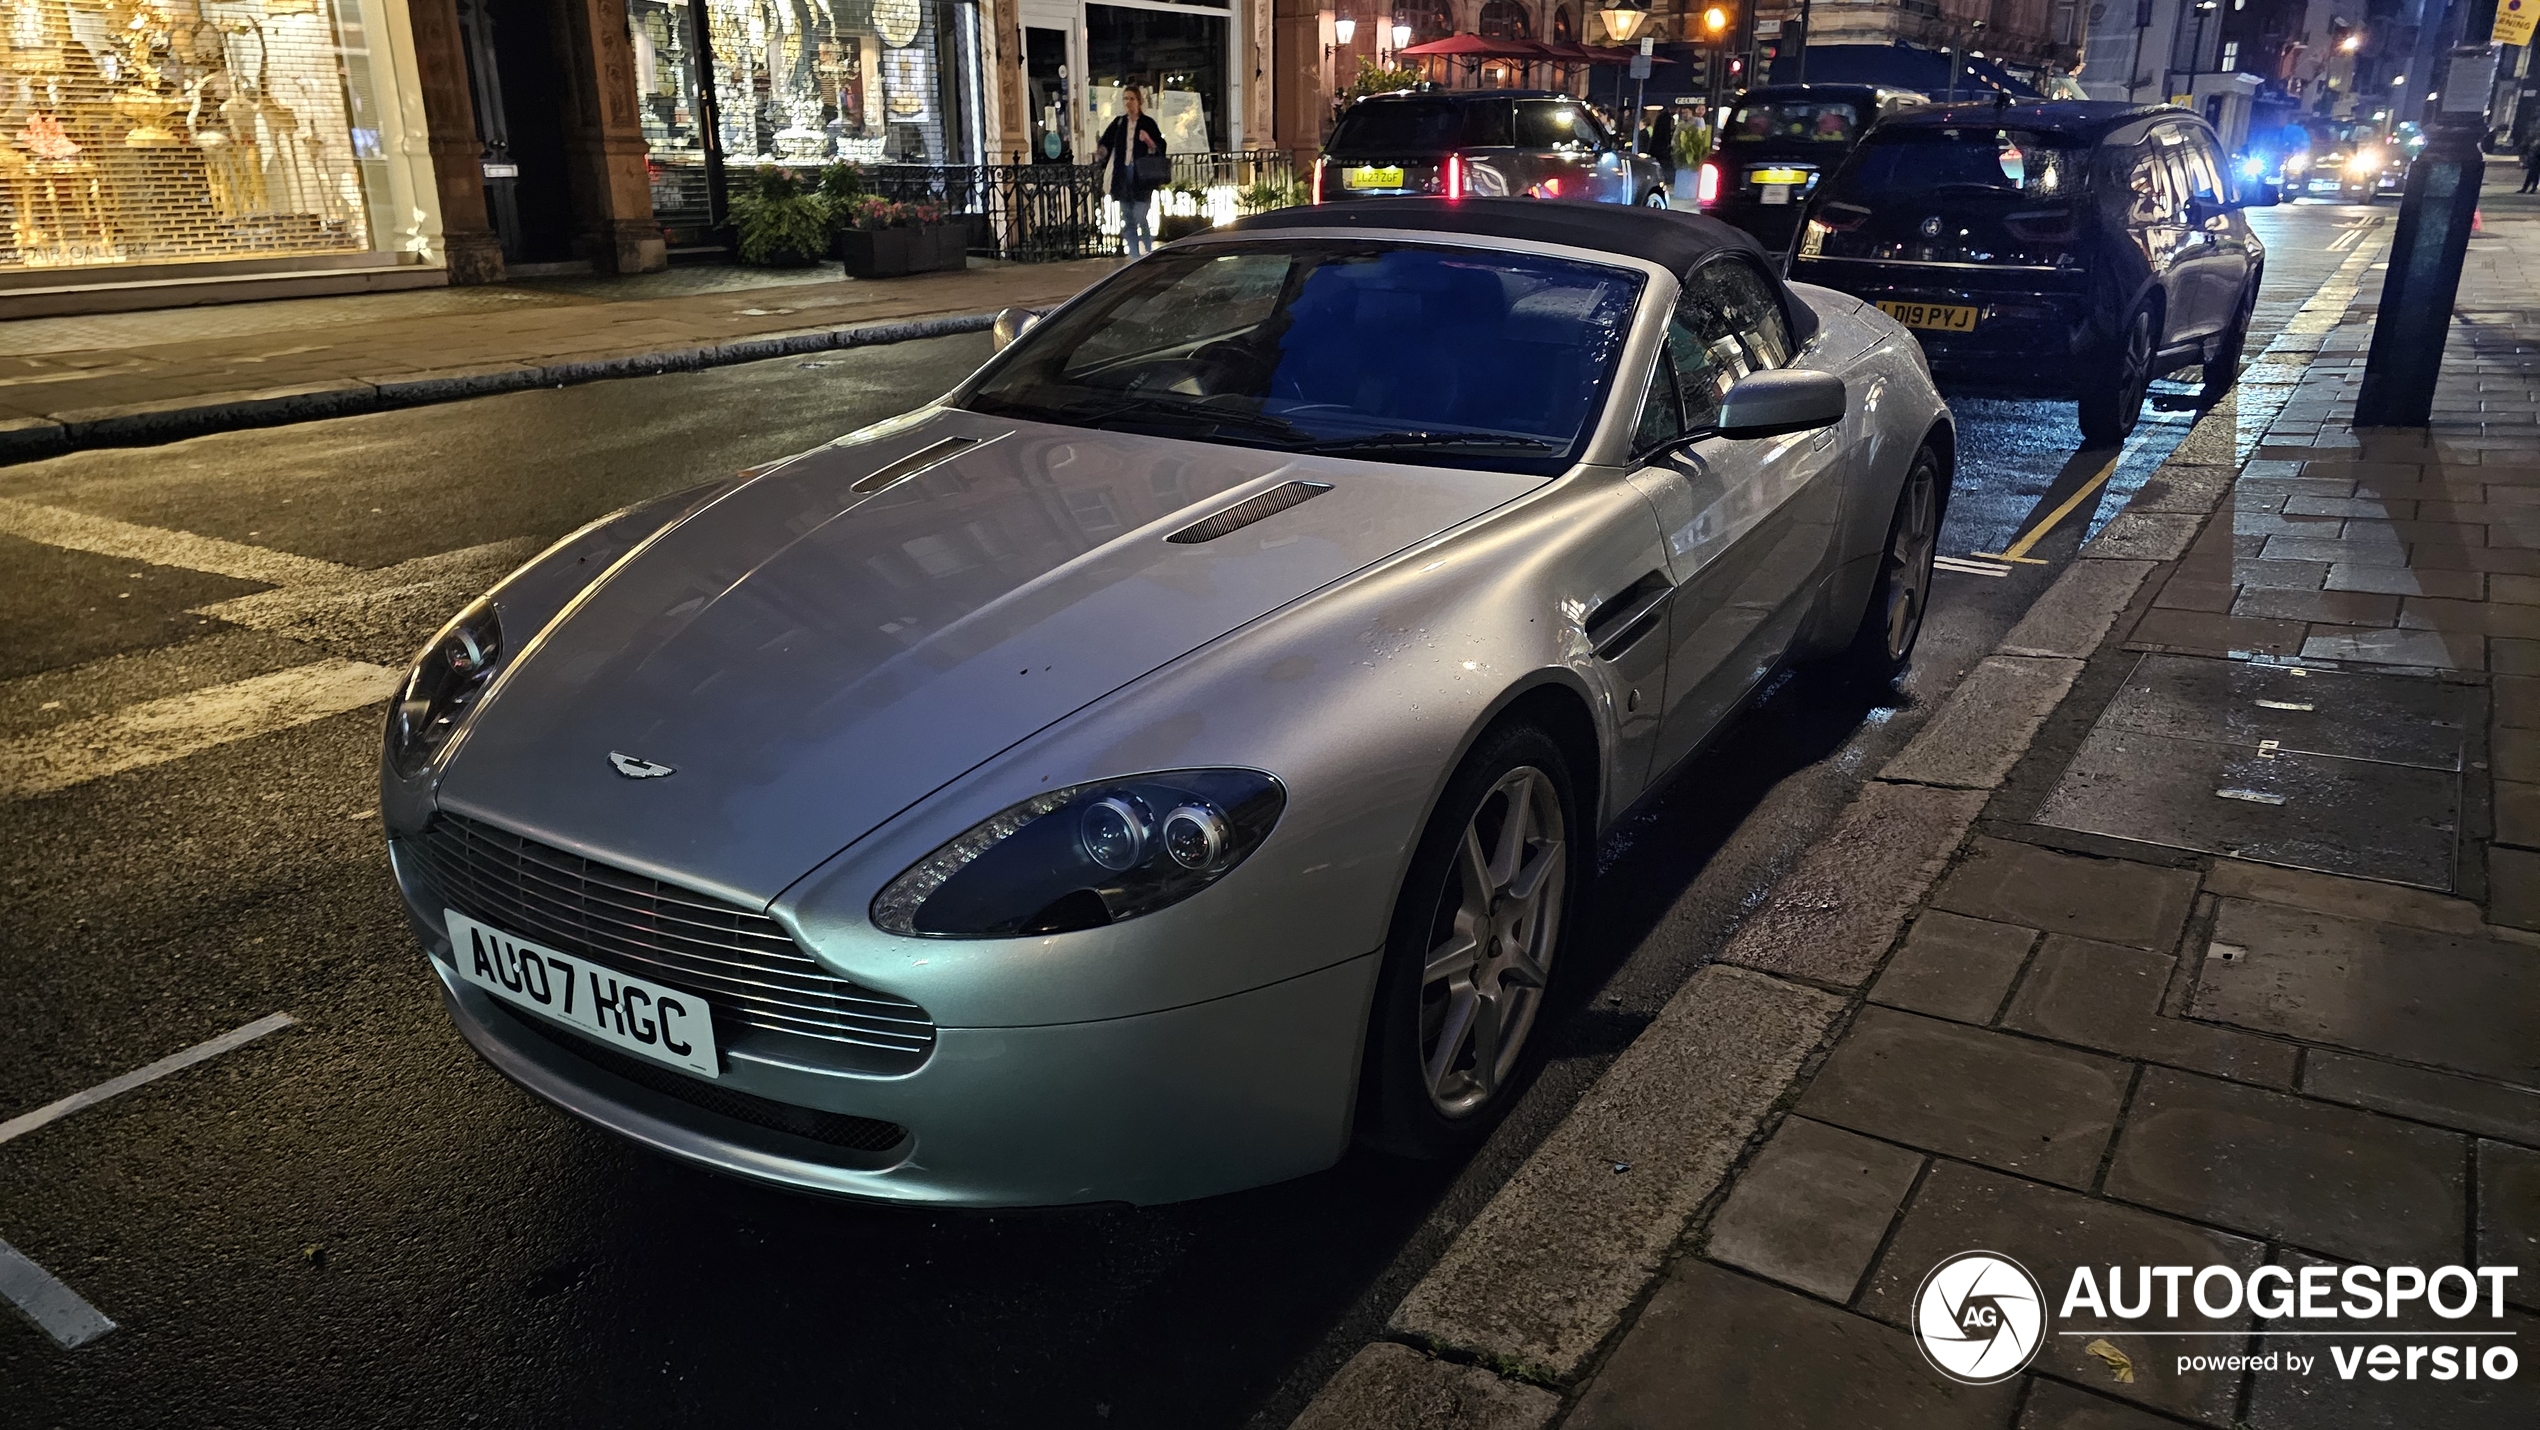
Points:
(740, 961)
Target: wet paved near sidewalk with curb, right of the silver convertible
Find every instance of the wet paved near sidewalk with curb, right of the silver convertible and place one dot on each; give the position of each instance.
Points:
(2196, 931)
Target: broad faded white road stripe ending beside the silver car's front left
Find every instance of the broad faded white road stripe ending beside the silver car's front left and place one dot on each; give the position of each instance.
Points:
(174, 728)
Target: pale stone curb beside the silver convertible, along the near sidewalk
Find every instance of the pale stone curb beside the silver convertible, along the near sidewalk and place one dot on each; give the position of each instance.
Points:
(1574, 1266)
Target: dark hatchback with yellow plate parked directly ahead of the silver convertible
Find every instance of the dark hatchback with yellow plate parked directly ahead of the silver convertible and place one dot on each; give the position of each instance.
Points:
(2056, 250)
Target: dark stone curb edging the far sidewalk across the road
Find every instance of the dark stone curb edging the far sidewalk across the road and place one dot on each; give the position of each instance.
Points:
(144, 425)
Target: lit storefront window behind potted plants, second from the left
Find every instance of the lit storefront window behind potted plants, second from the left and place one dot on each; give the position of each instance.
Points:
(733, 85)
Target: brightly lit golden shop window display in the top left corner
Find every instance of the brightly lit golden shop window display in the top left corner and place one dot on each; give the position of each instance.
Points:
(207, 133)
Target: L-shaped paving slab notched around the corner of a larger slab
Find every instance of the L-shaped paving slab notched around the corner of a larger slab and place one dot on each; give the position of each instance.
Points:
(2109, 999)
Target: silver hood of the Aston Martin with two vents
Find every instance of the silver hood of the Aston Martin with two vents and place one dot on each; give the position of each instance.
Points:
(812, 662)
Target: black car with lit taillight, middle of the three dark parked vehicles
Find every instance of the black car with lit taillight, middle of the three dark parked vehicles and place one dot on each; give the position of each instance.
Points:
(1779, 144)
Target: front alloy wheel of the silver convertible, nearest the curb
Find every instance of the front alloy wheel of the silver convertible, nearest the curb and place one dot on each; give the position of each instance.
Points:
(1492, 944)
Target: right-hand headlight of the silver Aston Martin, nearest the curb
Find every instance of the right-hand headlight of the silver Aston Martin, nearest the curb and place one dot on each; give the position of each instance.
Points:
(1086, 857)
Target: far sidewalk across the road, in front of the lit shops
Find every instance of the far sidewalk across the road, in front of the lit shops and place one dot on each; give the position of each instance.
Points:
(156, 377)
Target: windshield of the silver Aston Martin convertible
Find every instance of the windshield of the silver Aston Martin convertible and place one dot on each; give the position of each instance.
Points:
(1406, 354)
